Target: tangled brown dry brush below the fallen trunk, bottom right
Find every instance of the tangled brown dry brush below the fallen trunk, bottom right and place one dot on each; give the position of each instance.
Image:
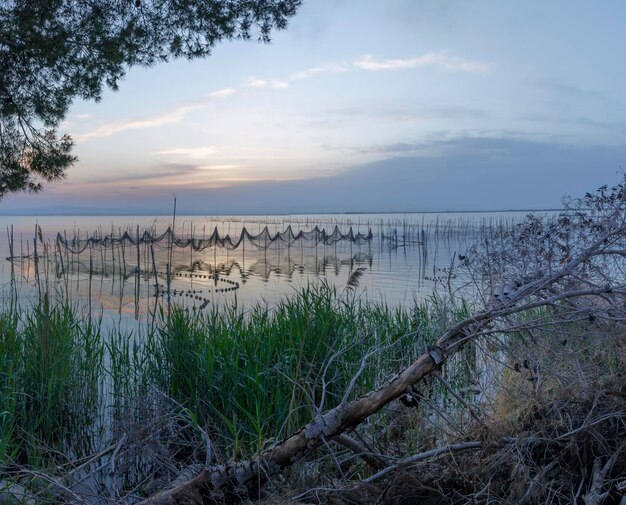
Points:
(543, 438)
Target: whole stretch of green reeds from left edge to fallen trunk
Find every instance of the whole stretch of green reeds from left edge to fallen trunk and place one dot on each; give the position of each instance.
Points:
(244, 378)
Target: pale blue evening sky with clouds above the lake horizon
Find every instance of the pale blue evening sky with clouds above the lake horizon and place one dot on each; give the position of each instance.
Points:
(364, 106)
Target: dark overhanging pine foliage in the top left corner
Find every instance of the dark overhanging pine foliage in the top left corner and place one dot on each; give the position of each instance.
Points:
(53, 51)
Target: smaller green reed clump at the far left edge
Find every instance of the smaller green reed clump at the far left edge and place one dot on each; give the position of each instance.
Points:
(50, 368)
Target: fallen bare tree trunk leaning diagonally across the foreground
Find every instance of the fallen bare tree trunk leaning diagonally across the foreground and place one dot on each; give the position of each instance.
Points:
(542, 288)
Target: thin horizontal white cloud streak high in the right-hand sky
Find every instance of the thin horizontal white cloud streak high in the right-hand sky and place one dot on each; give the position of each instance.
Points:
(442, 60)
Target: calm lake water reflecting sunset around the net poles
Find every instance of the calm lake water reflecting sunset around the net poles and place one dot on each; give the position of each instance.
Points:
(406, 256)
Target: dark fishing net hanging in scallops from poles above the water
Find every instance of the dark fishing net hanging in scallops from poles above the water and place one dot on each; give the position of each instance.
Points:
(262, 240)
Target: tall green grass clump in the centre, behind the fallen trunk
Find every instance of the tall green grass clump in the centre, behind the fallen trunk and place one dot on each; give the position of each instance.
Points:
(250, 378)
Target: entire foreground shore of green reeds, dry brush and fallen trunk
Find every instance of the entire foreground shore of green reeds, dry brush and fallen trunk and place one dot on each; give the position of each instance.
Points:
(514, 394)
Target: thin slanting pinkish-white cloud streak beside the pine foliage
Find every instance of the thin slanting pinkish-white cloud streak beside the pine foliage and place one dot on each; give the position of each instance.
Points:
(171, 116)
